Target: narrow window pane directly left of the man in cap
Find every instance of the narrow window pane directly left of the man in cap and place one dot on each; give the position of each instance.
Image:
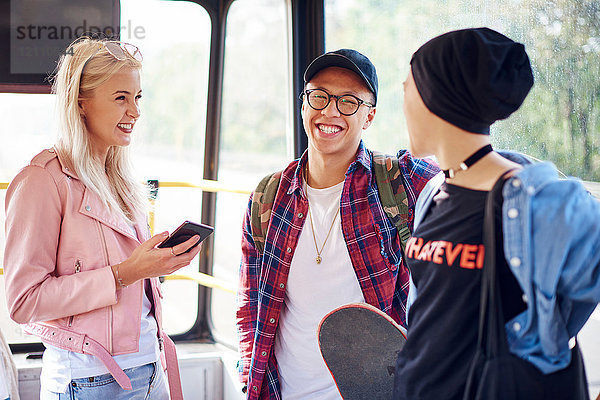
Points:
(254, 127)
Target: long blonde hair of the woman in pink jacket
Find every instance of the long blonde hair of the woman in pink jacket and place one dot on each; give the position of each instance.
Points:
(85, 66)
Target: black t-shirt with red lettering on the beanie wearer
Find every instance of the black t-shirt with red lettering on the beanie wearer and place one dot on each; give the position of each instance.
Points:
(445, 257)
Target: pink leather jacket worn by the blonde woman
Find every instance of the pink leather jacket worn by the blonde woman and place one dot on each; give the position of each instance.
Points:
(60, 245)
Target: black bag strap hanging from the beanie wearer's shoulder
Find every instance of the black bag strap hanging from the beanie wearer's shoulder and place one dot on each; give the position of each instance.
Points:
(491, 335)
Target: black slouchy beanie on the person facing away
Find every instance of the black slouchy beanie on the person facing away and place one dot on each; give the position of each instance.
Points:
(472, 77)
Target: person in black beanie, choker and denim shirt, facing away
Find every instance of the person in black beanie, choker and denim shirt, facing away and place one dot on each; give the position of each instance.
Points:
(546, 233)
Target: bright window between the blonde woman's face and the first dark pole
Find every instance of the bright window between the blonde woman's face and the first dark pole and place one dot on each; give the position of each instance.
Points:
(170, 143)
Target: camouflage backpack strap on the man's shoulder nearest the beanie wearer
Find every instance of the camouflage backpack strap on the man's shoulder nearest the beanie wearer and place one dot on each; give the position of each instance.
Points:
(391, 193)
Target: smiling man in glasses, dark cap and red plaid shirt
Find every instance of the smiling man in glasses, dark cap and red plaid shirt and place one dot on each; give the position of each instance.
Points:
(329, 241)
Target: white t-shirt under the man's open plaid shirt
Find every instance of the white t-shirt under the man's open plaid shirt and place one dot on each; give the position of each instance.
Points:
(312, 291)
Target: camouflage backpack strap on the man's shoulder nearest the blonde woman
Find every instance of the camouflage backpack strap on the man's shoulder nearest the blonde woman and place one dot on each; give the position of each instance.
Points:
(262, 204)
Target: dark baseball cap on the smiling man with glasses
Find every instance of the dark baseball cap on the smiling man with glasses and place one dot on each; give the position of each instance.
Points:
(348, 59)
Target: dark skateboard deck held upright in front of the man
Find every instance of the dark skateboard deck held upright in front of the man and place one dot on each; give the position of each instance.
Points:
(360, 344)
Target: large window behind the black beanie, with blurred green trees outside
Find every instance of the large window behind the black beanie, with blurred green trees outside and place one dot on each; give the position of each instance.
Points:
(558, 120)
